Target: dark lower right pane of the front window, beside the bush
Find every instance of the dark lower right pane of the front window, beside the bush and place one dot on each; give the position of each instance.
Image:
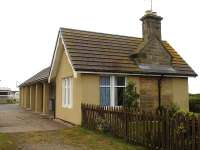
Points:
(119, 96)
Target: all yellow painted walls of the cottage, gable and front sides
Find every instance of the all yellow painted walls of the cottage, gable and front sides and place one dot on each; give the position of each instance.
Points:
(86, 90)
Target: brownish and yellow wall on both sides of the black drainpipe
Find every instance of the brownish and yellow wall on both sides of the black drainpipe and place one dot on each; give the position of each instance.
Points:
(173, 91)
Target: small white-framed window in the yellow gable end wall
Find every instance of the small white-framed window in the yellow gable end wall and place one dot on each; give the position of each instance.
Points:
(67, 92)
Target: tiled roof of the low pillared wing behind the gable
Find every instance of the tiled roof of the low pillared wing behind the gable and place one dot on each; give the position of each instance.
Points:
(39, 77)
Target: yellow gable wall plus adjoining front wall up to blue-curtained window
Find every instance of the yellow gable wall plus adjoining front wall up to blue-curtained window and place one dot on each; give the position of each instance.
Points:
(85, 90)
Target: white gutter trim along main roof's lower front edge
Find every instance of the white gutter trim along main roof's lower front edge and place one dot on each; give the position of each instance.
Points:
(128, 74)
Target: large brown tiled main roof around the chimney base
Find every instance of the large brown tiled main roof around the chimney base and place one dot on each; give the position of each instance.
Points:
(99, 52)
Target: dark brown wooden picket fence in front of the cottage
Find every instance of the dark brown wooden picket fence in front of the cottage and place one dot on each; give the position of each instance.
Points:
(154, 130)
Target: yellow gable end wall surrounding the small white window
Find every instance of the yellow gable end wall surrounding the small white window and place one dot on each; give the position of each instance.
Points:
(73, 114)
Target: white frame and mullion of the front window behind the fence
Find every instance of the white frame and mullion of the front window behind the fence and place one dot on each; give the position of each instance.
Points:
(112, 87)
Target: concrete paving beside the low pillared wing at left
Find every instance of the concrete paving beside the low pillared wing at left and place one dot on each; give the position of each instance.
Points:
(15, 119)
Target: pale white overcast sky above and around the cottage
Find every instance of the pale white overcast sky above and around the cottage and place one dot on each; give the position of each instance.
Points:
(29, 28)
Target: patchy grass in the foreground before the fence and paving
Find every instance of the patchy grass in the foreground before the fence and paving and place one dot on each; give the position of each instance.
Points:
(71, 138)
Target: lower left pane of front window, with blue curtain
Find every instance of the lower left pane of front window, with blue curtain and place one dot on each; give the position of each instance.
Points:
(105, 96)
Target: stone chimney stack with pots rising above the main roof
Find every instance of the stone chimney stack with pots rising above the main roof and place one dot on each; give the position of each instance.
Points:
(151, 26)
